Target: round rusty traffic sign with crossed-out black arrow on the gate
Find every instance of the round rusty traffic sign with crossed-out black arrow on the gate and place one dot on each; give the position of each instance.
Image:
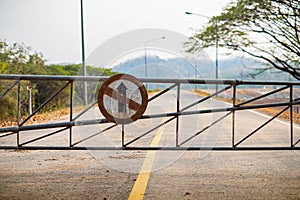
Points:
(122, 99)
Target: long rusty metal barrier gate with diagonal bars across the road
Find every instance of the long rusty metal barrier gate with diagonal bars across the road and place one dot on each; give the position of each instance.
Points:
(174, 85)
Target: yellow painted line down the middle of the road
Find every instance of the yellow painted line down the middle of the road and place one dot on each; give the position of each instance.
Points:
(140, 185)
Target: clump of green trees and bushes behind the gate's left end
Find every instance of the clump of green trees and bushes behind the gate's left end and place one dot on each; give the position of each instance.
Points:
(20, 59)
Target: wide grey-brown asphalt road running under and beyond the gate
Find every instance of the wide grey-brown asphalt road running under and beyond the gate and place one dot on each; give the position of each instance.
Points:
(137, 174)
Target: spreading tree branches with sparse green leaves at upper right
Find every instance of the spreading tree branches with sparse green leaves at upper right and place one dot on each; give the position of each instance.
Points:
(268, 30)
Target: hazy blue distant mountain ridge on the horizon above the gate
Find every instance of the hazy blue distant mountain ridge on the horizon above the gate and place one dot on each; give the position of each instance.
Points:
(235, 68)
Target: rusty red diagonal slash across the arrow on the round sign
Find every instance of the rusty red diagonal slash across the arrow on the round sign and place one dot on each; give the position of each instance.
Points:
(122, 99)
